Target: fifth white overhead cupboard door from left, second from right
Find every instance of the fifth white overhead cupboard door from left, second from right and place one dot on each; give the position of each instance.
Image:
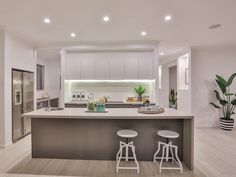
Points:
(131, 66)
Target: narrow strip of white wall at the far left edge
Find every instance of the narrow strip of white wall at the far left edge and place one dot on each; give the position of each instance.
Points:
(2, 40)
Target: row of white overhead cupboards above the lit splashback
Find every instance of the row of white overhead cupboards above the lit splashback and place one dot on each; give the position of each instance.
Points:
(109, 65)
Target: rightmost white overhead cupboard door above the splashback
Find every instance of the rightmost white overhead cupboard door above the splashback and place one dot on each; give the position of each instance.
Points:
(145, 66)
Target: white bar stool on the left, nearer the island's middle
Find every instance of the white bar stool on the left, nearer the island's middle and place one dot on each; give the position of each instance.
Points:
(124, 147)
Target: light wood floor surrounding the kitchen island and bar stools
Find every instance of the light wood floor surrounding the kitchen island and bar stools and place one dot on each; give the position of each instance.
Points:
(215, 156)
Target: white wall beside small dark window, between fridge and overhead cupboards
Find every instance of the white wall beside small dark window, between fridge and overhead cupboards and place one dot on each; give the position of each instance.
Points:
(52, 77)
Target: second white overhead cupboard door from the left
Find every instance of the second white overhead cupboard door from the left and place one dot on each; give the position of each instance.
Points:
(86, 66)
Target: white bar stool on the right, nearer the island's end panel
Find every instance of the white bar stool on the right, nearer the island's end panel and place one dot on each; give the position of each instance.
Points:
(168, 147)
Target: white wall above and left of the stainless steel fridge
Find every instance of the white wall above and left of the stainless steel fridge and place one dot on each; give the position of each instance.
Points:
(19, 54)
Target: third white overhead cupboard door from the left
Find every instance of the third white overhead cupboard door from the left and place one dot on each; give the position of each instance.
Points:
(101, 65)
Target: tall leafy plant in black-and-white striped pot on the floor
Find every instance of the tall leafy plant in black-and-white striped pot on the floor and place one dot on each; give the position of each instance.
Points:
(226, 101)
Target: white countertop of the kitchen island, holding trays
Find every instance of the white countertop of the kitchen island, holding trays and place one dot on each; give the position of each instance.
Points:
(113, 113)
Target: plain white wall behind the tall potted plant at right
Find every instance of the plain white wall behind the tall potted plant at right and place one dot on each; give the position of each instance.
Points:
(206, 63)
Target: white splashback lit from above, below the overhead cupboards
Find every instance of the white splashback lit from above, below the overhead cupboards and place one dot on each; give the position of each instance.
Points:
(117, 90)
